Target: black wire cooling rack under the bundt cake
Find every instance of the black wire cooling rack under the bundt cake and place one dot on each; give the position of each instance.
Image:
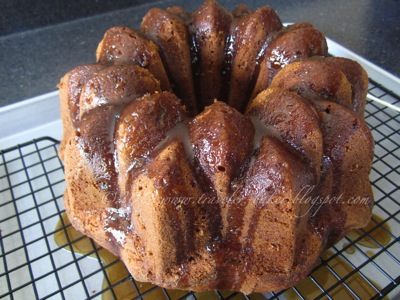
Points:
(43, 257)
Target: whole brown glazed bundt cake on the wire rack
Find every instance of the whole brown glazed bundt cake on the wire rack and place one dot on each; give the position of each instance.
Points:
(216, 149)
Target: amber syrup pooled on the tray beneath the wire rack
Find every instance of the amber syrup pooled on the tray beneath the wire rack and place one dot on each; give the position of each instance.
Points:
(71, 239)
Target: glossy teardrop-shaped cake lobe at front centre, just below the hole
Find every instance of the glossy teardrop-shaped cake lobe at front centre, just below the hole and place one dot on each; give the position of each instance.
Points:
(212, 141)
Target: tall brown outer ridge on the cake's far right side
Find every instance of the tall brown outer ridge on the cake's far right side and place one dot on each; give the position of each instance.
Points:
(345, 136)
